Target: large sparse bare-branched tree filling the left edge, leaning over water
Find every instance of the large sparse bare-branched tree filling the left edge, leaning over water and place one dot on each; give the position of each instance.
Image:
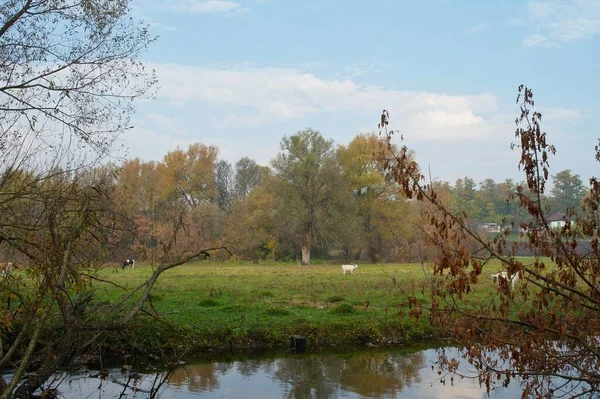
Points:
(69, 71)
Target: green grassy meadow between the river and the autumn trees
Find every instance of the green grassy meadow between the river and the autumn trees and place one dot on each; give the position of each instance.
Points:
(244, 306)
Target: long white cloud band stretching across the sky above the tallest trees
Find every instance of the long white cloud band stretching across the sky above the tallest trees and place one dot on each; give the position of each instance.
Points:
(265, 96)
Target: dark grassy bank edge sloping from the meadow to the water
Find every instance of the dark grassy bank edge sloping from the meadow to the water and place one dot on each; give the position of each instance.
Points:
(149, 337)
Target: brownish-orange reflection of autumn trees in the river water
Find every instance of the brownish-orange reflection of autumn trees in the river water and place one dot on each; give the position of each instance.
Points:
(372, 374)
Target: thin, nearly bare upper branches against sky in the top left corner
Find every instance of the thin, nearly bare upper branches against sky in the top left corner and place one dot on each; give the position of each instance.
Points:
(69, 70)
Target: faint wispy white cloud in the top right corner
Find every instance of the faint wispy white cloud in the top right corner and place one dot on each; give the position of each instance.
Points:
(562, 21)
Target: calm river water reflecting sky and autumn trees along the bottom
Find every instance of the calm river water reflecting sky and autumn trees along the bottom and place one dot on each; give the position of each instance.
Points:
(369, 374)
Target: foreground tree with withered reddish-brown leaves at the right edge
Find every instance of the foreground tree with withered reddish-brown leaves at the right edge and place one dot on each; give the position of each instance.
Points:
(546, 329)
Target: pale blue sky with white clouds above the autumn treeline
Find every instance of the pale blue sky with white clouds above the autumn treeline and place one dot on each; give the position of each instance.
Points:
(242, 74)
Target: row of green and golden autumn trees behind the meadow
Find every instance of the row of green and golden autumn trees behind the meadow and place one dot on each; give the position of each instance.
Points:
(316, 199)
